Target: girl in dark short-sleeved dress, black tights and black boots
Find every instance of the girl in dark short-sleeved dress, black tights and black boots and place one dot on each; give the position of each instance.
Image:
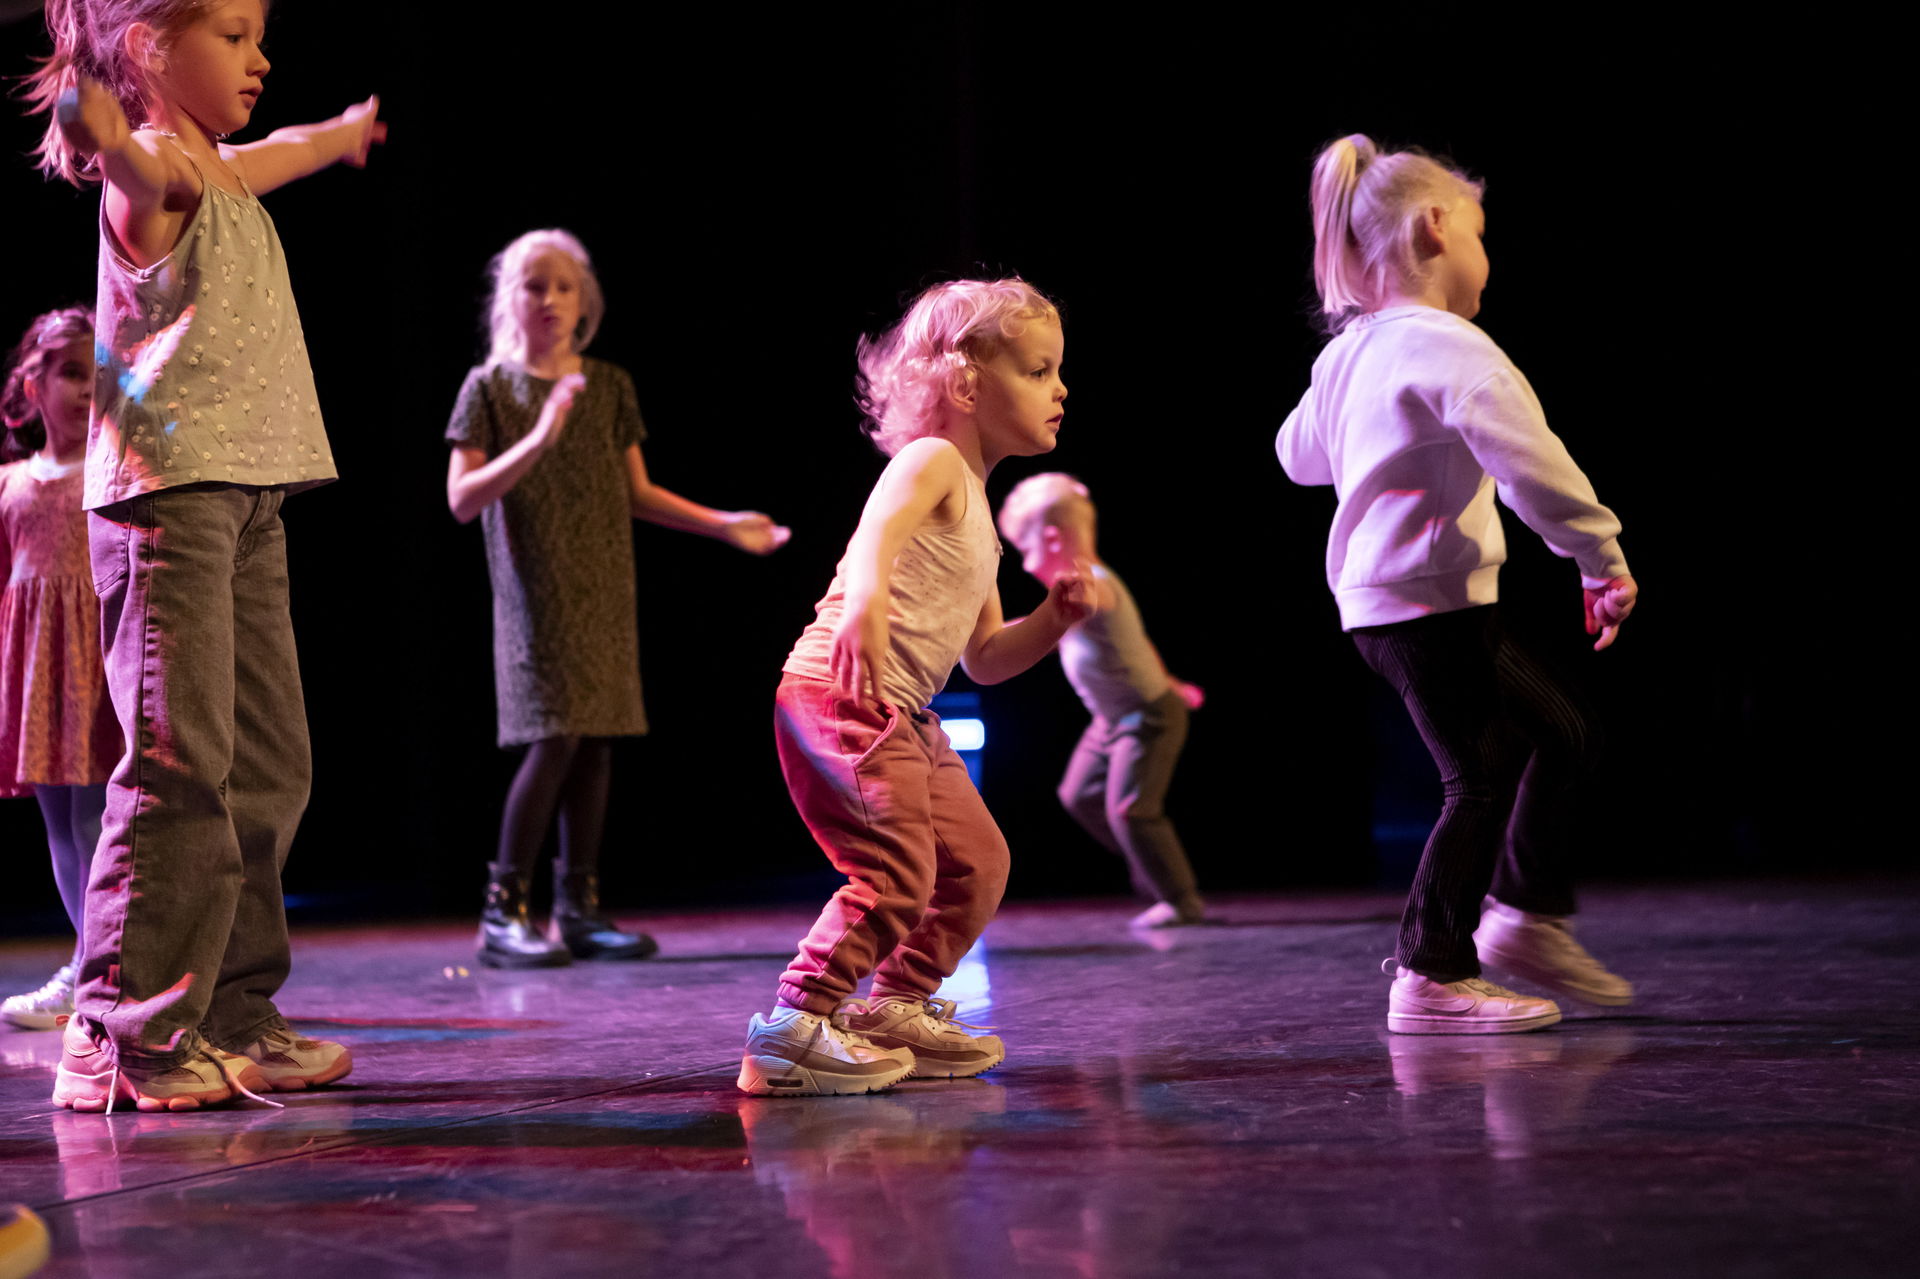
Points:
(546, 452)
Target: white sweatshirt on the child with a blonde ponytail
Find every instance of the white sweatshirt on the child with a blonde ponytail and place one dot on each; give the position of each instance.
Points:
(1418, 420)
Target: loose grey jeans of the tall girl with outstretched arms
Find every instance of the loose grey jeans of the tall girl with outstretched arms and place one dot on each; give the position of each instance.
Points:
(185, 925)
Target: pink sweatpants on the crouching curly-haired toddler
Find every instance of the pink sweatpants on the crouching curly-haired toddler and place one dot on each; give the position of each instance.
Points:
(896, 811)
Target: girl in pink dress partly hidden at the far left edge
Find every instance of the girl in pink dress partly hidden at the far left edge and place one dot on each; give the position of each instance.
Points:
(59, 738)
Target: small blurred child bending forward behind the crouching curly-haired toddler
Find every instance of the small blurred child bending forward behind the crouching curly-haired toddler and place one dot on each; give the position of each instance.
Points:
(1116, 784)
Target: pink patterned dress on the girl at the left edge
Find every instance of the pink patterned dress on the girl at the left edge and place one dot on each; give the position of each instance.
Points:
(57, 723)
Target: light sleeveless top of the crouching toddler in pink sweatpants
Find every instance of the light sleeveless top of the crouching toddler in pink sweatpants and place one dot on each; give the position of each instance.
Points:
(938, 587)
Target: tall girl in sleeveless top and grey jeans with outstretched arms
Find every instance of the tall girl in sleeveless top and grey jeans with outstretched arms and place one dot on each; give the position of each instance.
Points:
(204, 420)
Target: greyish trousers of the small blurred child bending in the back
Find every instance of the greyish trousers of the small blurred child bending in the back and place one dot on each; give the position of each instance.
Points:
(1116, 788)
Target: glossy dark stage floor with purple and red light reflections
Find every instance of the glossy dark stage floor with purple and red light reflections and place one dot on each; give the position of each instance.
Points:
(1216, 1101)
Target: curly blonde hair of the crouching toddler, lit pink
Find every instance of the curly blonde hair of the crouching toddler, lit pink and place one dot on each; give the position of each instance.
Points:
(936, 350)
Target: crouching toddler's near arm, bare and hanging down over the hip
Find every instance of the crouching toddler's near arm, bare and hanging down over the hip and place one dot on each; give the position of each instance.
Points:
(924, 481)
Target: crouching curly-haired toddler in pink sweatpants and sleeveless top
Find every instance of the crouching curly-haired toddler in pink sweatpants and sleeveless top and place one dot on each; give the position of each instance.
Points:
(965, 381)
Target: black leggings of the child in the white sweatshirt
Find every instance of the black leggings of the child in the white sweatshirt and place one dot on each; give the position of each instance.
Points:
(1512, 744)
